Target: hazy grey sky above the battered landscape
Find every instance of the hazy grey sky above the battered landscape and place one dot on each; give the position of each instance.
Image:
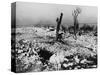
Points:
(33, 13)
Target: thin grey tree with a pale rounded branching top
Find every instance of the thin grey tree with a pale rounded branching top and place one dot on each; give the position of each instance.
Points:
(75, 14)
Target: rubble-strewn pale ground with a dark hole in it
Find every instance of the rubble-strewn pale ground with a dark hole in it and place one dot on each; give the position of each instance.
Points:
(37, 50)
